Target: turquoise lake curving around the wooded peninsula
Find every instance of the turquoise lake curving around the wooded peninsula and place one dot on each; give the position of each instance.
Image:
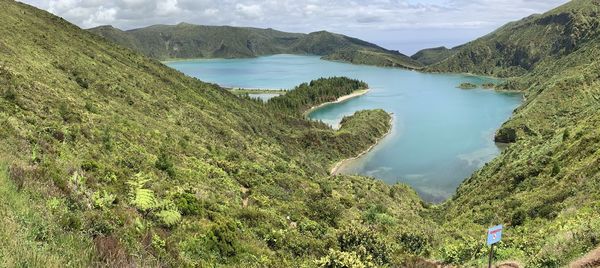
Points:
(441, 134)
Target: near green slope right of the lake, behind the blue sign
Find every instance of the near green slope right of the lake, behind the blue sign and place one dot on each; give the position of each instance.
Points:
(545, 186)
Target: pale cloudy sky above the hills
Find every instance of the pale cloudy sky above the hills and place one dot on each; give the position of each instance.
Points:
(405, 25)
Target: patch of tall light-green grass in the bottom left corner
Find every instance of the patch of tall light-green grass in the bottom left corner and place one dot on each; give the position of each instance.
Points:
(30, 235)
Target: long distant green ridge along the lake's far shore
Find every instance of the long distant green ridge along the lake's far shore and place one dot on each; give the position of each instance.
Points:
(184, 41)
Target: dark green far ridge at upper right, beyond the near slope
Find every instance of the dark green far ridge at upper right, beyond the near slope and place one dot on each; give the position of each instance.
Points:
(519, 47)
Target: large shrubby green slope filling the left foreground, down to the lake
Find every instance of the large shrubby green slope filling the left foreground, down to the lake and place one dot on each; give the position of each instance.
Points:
(110, 158)
